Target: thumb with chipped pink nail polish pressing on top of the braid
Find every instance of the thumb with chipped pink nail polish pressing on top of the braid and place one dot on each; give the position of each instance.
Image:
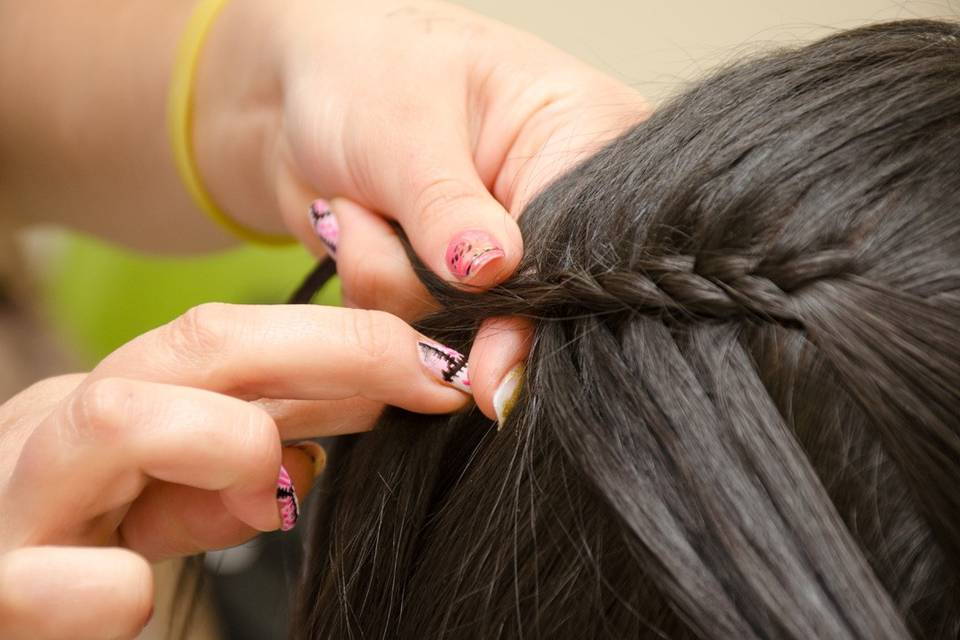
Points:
(455, 225)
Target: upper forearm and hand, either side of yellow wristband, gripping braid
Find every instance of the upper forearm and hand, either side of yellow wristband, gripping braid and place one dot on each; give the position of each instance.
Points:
(416, 111)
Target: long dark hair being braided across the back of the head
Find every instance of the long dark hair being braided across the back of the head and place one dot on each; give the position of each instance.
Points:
(740, 414)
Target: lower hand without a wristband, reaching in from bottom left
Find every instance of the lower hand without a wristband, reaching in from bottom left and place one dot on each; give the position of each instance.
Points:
(173, 445)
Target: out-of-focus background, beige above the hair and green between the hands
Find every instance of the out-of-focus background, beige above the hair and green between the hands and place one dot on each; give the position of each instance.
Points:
(67, 300)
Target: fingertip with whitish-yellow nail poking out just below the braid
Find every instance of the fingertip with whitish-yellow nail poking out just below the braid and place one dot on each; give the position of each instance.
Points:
(499, 351)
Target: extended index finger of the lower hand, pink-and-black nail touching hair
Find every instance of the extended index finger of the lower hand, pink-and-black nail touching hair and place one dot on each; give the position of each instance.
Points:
(300, 352)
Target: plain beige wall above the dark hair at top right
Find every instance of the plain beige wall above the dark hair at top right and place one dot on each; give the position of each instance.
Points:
(653, 44)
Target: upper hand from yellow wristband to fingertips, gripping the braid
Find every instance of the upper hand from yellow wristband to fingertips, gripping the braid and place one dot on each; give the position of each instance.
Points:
(421, 112)
